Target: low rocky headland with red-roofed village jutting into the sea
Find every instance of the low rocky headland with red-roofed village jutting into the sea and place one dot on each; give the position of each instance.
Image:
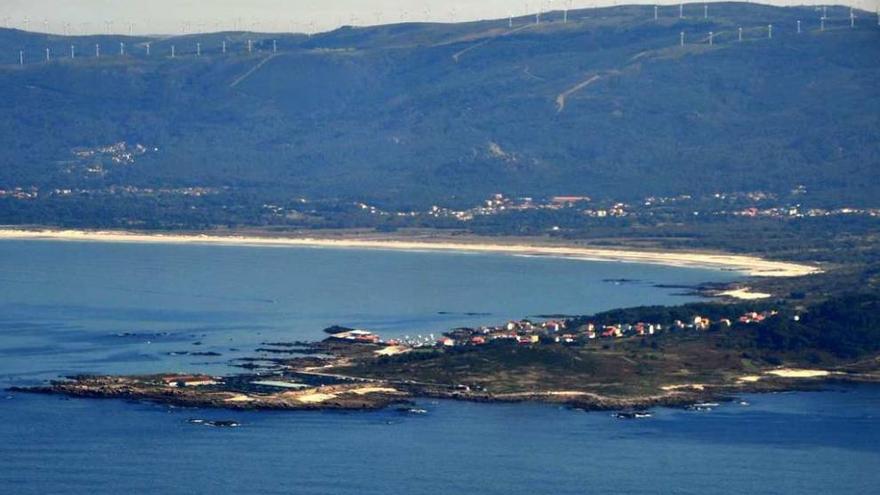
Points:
(679, 357)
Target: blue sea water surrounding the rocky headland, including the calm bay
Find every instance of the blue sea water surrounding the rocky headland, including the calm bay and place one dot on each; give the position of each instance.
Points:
(123, 308)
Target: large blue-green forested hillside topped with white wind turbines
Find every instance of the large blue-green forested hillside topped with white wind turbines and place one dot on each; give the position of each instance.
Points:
(607, 104)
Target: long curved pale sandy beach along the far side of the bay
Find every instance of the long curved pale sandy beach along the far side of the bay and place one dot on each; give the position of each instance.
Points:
(749, 265)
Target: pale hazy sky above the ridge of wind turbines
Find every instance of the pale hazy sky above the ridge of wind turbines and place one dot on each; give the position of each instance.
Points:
(282, 16)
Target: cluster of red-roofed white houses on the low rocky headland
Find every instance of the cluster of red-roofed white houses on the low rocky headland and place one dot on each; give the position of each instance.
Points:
(550, 332)
